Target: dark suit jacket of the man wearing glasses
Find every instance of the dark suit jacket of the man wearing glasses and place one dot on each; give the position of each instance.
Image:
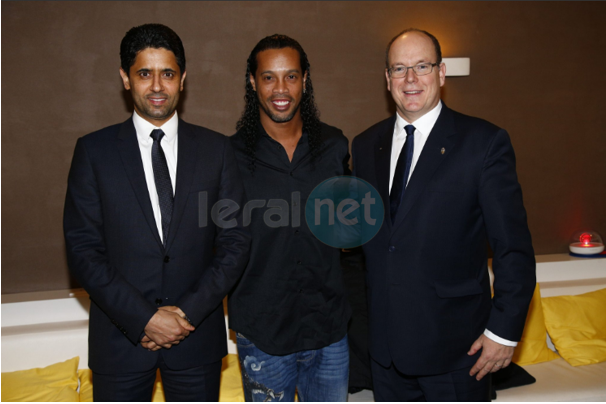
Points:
(428, 285)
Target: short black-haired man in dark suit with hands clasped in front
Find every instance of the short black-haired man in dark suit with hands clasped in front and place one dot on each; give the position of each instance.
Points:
(139, 240)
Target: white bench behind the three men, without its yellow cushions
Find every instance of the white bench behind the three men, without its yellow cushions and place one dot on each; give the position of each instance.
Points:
(39, 329)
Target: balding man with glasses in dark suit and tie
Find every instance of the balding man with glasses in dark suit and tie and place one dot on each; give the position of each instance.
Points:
(449, 185)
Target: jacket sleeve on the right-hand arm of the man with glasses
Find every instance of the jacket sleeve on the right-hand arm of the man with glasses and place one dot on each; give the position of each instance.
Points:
(514, 267)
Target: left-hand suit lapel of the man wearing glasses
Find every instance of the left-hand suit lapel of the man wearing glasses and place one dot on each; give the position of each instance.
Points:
(383, 162)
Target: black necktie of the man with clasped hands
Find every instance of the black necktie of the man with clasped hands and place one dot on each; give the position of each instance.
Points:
(164, 187)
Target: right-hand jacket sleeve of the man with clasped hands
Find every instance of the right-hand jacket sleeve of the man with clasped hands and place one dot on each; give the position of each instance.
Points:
(232, 245)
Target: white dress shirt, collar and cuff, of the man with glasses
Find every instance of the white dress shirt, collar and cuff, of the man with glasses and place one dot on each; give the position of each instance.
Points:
(423, 127)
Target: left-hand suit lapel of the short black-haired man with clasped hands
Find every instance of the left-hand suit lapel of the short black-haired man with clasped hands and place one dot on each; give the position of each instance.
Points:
(131, 158)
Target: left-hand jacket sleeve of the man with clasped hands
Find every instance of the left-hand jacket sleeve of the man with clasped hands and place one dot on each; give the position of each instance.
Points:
(87, 254)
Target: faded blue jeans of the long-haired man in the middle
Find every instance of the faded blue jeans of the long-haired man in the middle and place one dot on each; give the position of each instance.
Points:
(318, 375)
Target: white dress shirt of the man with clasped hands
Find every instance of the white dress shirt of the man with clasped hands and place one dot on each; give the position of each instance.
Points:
(169, 145)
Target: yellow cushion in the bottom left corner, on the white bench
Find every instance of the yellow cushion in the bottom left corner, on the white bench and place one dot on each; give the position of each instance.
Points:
(57, 382)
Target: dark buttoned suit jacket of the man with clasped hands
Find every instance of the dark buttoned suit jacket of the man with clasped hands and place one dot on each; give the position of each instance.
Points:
(114, 249)
